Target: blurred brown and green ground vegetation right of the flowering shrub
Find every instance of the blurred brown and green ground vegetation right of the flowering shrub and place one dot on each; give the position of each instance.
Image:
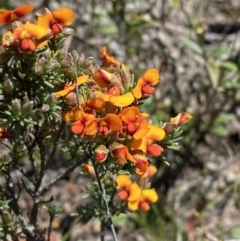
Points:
(196, 46)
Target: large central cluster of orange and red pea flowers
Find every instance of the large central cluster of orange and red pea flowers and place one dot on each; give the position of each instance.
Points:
(109, 116)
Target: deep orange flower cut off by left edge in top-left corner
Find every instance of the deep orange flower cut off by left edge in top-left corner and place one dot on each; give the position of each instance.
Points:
(7, 16)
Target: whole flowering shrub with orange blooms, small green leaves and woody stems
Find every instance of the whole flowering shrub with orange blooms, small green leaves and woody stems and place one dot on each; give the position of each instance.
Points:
(51, 99)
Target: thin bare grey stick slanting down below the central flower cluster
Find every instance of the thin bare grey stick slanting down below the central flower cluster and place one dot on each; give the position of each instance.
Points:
(102, 192)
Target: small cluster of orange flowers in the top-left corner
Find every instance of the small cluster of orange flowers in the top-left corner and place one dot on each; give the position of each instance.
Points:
(27, 37)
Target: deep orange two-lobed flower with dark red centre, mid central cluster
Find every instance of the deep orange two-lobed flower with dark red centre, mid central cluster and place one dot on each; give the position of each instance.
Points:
(104, 125)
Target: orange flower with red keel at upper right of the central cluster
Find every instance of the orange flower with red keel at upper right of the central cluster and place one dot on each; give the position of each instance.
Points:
(144, 87)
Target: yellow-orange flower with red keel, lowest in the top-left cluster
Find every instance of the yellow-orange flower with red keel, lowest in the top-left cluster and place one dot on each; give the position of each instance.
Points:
(29, 36)
